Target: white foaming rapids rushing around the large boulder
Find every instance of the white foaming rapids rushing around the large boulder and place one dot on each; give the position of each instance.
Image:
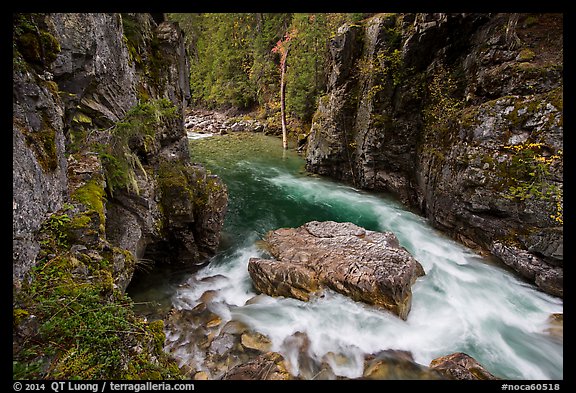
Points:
(462, 304)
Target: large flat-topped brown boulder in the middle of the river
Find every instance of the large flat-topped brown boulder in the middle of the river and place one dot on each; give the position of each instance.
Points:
(365, 265)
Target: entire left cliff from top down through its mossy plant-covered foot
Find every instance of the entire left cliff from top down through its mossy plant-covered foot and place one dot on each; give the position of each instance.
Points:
(102, 180)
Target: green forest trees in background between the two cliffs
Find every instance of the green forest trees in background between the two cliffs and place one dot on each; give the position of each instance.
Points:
(232, 62)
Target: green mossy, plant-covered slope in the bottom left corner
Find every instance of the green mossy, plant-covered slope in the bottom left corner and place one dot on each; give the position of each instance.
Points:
(86, 328)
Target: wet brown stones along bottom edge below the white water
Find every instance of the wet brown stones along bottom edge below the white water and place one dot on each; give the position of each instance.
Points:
(232, 351)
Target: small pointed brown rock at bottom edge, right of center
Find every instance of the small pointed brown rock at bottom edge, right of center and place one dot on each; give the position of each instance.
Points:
(460, 366)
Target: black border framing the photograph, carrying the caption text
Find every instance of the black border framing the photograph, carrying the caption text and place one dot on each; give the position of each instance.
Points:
(553, 6)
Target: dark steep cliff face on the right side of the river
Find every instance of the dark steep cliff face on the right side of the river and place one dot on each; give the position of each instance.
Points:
(460, 116)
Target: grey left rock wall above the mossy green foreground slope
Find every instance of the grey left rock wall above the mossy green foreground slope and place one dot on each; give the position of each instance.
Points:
(78, 79)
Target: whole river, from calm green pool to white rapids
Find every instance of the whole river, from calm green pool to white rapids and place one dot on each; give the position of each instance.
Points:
(465, 302)
